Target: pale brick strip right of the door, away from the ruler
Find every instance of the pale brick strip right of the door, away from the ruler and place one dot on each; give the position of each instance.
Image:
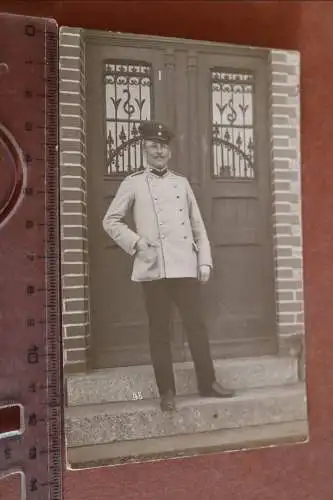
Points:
(286, 187)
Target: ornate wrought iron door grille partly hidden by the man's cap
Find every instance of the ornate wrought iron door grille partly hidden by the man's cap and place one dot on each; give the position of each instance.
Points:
(128, 101)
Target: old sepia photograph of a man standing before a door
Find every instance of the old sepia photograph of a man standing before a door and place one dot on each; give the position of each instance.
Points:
(181, 246)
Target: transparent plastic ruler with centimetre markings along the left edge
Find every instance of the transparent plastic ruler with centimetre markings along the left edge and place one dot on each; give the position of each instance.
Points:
(30, 326)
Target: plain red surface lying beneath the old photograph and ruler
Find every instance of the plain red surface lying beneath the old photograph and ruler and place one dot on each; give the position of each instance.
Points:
(298, 472)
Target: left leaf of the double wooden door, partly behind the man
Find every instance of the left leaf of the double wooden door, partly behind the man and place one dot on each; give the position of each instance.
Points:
(124, 86)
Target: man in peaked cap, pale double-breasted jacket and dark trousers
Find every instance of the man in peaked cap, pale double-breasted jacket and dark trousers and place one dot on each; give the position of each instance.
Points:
(172, 256)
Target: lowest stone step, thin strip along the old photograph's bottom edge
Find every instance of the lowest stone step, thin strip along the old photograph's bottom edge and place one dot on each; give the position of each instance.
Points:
(188, 445)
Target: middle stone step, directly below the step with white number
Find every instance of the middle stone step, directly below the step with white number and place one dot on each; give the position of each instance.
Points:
(125, 421)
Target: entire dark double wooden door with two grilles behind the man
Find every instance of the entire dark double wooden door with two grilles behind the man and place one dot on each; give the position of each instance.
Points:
(217, 105)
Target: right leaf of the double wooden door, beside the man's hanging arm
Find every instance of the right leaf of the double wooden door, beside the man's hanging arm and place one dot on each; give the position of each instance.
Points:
(232, 148)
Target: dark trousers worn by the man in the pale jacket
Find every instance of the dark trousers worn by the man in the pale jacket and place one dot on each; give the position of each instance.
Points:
(159, 297)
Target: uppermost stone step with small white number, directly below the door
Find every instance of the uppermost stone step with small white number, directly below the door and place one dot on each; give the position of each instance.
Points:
(137, 382)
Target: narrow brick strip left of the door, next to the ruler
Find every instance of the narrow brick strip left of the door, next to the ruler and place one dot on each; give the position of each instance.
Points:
(74, 237)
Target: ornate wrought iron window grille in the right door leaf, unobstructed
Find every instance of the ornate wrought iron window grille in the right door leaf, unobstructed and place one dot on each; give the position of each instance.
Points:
(232, 124)
